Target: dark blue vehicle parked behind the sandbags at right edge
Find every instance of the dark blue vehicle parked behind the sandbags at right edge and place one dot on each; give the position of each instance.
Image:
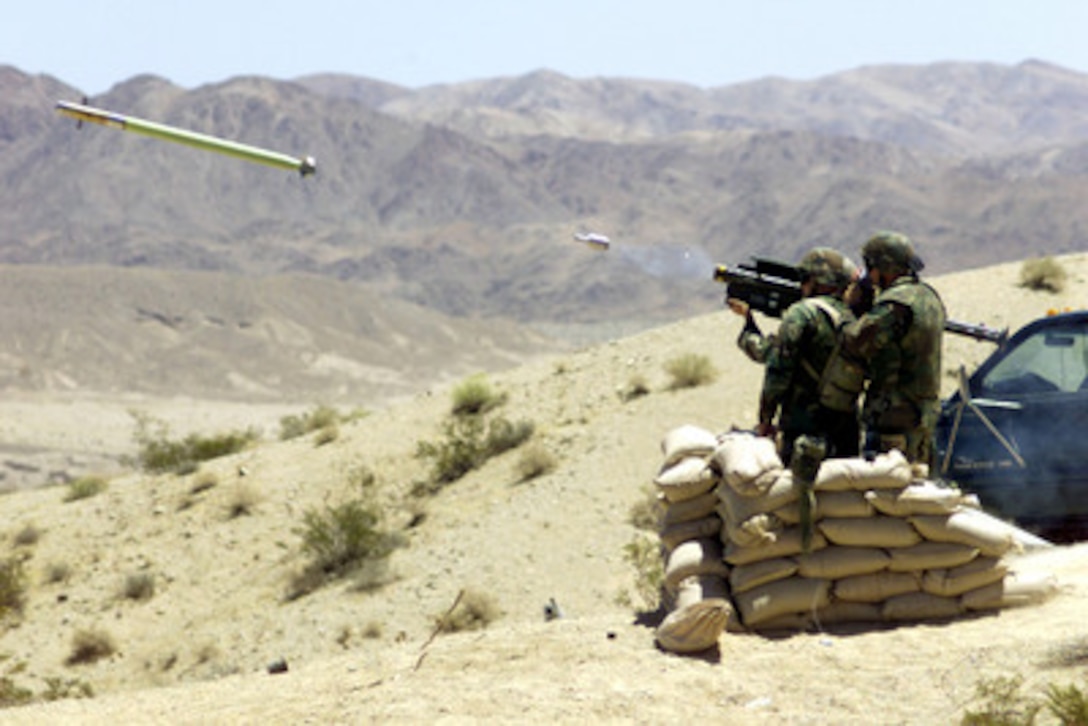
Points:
(1017, 432)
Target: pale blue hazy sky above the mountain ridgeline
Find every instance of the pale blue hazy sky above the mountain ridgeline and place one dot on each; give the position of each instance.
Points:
(96, 44)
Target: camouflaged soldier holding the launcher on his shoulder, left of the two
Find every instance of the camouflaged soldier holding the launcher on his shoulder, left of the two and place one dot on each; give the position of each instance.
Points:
(797, 356)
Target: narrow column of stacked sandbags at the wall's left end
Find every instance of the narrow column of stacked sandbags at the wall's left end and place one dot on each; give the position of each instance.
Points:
(696, 589)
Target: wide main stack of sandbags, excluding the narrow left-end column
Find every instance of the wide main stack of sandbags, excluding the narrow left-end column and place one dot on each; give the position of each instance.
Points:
(883, 544)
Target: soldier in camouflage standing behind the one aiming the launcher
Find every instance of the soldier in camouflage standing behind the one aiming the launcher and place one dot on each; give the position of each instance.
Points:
(899, 344)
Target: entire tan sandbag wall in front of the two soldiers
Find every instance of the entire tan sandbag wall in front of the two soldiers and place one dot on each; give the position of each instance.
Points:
(883, 544)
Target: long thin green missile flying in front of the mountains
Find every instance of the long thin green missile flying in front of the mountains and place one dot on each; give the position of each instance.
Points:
(81, 113)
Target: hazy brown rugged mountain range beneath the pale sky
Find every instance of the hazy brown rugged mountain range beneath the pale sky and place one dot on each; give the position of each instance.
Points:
(463, 200)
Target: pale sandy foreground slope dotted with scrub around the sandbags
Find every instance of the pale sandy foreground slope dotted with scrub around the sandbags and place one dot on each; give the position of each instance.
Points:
(199, 650)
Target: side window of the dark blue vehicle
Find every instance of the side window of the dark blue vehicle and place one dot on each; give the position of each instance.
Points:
(1055, 360)
